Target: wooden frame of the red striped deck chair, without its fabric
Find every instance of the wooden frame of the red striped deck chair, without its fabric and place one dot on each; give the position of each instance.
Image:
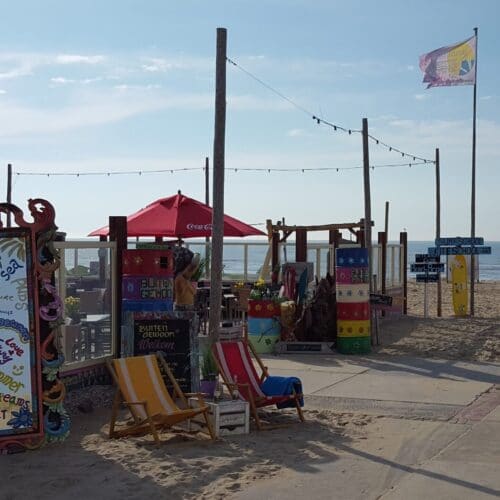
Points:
(255, 402)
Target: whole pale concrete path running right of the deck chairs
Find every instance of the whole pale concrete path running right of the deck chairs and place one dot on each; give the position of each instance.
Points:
(444, 443)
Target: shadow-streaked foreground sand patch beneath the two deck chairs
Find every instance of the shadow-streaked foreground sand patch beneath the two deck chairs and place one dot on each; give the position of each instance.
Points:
(90, 466)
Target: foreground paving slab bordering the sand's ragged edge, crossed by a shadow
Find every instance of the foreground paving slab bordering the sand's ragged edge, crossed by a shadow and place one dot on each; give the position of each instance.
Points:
(364, 469)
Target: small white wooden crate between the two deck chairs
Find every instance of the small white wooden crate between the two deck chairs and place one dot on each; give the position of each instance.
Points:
(227, 417)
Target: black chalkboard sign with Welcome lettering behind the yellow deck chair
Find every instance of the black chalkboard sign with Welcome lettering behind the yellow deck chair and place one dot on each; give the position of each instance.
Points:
(172, 338)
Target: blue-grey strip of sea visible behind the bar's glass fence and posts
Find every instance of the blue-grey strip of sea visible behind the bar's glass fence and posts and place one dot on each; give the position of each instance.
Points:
(234, 257)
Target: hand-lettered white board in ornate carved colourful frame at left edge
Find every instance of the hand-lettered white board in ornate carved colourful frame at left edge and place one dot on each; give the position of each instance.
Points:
(31, 392)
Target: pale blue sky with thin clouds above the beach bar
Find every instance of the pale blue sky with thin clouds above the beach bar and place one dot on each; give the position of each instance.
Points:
(92, 86)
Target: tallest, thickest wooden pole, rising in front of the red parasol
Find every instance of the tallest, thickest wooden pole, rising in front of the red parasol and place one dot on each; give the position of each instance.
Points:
(218, 186)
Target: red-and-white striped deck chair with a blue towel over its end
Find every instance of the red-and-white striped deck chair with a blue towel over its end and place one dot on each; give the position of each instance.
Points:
(234, 360)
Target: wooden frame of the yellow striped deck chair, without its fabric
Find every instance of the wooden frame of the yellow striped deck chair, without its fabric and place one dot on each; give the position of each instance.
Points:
(151, 424)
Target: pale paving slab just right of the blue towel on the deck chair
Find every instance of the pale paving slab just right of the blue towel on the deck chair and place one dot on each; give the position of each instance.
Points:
(403, 386)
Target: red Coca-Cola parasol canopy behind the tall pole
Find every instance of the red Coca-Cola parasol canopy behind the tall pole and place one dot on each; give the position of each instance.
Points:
(180, 217)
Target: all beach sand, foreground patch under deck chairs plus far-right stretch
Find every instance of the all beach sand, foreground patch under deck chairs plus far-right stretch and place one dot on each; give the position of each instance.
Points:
(89, 465)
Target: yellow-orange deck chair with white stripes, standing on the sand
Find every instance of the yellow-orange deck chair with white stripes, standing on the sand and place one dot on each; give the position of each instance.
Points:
(140, 387)
